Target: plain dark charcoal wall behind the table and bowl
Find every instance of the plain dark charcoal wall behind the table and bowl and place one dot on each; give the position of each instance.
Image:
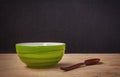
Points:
(84, 25)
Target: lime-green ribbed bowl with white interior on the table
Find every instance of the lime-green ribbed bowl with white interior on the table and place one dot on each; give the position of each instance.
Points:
(40, 54)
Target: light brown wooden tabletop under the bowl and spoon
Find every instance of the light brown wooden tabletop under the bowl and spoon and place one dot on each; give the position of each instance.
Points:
(11, 66)
